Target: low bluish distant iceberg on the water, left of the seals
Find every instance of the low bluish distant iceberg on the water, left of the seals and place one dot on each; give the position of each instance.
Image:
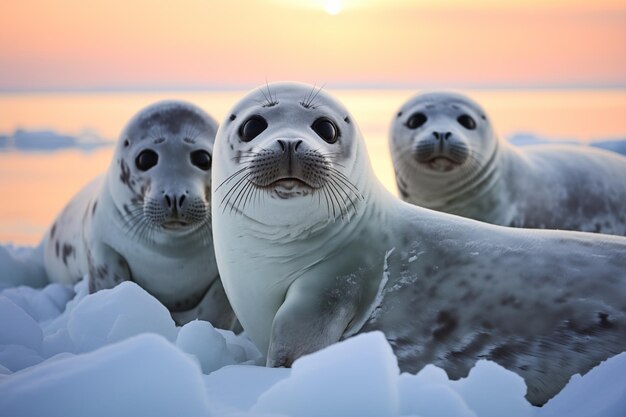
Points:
(48, 140)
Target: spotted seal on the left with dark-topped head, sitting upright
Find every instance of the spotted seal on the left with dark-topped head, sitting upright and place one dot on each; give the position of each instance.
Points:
(147, 219)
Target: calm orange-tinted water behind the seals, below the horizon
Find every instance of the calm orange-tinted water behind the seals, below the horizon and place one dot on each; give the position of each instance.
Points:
(35, 186)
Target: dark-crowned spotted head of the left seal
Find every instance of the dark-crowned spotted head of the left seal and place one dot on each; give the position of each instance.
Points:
(151, 184)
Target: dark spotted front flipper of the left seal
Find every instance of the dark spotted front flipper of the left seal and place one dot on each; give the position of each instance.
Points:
(107, 268)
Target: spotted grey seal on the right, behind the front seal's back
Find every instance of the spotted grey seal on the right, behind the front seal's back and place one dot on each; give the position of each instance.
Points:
(447, 157)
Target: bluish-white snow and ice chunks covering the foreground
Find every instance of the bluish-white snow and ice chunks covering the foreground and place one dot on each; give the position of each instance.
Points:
(118, 352)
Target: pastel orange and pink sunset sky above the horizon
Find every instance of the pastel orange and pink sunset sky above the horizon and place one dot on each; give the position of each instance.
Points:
(78, 44)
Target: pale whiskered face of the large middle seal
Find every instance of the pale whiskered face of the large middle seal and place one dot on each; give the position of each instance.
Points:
(271, 165)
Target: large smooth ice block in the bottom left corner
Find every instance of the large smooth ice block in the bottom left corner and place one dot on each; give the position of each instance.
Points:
(142, 376)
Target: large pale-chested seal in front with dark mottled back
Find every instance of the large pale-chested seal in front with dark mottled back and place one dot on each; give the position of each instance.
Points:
(312, 249)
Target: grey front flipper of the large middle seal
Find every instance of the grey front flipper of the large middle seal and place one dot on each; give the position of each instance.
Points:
(311, 318)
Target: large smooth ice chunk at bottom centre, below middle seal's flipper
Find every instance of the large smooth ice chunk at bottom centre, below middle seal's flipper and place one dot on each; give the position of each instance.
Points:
(356, 377)
